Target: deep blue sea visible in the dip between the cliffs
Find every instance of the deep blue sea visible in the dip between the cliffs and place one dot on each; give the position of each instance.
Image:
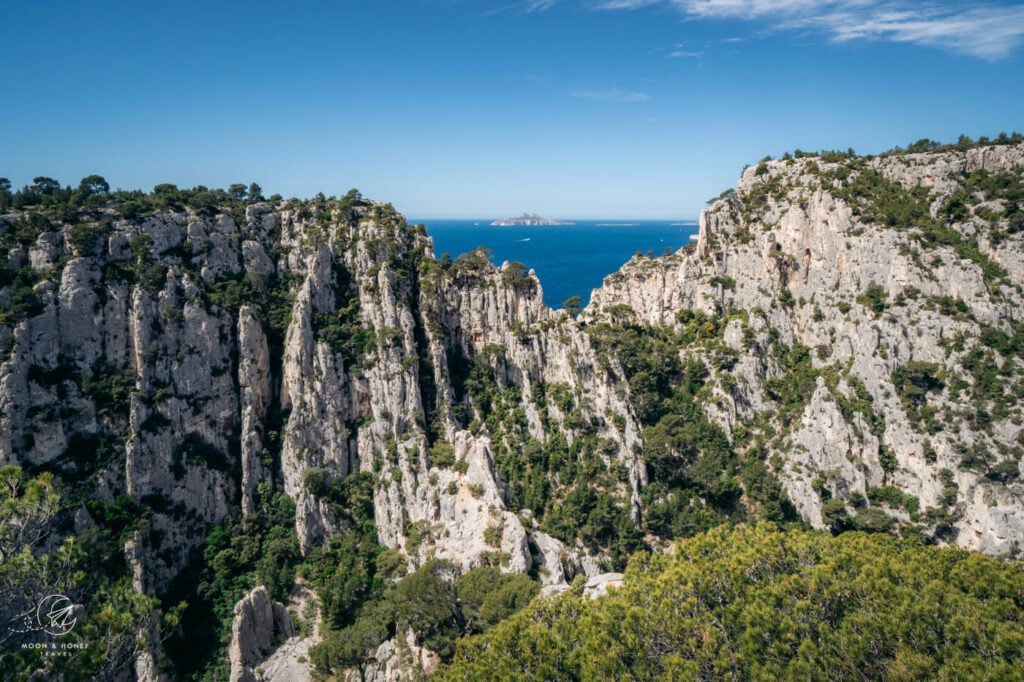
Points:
(571, 261)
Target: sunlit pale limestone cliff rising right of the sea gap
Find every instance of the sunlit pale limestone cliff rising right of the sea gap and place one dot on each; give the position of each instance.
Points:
(905, 325)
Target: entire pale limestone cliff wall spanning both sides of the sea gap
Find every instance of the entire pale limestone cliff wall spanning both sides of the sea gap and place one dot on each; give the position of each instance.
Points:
(869, 357)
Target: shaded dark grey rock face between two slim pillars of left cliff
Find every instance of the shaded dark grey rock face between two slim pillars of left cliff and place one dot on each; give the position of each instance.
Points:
(176, 451)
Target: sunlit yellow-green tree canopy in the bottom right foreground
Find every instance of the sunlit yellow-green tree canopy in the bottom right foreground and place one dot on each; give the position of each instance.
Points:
(756, 604)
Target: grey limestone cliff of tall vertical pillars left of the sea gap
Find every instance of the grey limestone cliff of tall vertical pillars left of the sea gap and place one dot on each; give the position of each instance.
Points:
(188, 360)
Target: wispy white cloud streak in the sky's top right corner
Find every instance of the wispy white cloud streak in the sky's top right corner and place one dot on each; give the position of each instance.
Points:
(990, 31)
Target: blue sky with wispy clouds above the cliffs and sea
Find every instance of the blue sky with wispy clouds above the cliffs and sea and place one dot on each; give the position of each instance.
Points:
(639, 109)
